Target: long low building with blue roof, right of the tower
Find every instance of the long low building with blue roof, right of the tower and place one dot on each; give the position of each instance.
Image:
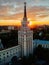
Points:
(44, 43)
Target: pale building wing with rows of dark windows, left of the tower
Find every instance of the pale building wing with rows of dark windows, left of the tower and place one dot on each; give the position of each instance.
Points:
(7, 54)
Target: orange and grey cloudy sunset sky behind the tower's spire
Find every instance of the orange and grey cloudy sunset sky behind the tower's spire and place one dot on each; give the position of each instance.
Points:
(11, 12)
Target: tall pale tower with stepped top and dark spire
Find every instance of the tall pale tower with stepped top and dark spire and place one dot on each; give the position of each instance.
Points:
(25, 36)
